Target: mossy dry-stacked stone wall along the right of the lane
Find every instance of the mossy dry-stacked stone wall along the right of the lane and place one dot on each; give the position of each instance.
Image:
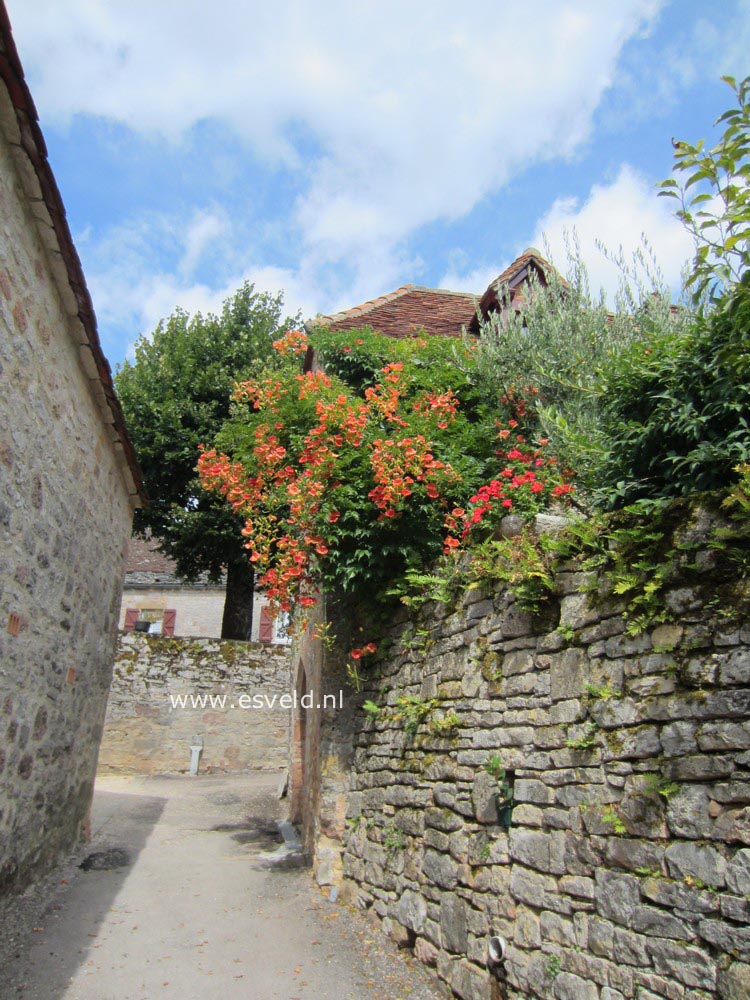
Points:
(625, 869)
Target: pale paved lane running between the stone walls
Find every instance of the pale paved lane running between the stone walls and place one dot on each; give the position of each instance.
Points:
(194, 913)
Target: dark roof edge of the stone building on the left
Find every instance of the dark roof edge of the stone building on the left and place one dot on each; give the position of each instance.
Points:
(41, 188)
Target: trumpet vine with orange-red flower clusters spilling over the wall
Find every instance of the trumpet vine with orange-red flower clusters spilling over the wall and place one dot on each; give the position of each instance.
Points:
(350, 478)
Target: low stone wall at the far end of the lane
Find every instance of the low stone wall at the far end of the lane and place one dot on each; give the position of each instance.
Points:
(166, 691)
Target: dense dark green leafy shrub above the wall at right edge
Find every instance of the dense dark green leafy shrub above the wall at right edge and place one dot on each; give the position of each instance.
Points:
(676, 409)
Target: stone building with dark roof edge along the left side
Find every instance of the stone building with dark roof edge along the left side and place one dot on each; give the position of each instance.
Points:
(69, 483)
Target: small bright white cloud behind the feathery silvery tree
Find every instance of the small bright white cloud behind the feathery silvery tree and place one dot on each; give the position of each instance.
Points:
(617, 215)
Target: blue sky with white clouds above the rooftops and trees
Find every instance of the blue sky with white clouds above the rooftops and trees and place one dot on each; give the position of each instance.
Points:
(337, 150)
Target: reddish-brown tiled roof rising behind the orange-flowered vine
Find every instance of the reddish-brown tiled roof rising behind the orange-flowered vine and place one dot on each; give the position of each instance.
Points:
(407, 310)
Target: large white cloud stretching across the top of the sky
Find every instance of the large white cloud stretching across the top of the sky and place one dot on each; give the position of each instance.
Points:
(413, 112)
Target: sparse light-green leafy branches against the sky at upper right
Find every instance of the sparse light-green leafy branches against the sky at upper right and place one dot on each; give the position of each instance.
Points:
(715, 200)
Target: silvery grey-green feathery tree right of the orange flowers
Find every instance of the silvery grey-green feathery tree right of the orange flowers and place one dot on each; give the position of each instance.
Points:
(559, 347)
